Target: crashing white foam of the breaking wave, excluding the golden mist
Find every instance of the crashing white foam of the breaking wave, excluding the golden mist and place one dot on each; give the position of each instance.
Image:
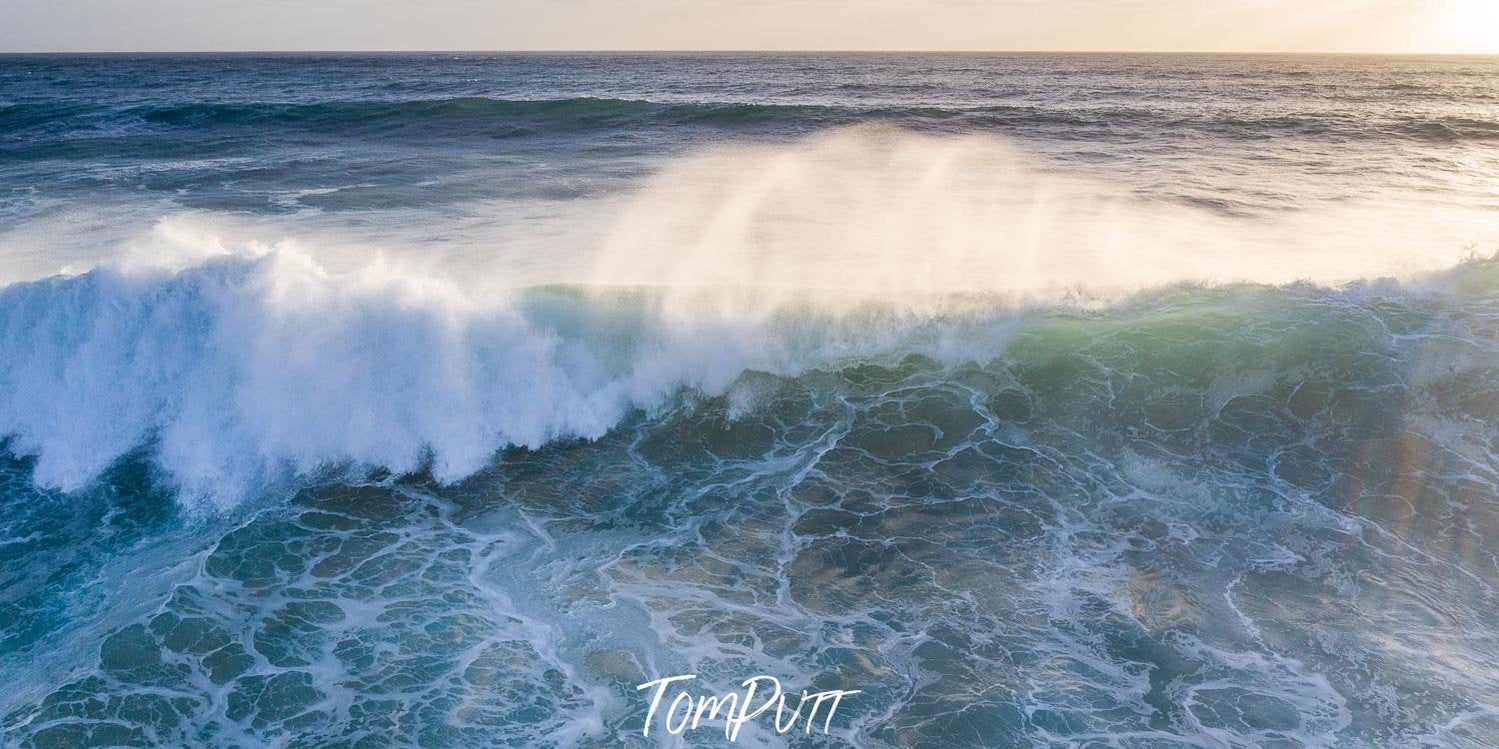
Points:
(253, 371)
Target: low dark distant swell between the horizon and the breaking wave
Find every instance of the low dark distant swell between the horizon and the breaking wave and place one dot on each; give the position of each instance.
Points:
(510, 118)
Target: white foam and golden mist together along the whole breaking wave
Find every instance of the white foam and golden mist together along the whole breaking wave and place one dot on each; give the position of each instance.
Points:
(245, 363)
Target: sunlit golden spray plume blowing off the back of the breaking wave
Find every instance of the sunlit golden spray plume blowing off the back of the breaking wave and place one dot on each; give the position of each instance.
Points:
(891, 210)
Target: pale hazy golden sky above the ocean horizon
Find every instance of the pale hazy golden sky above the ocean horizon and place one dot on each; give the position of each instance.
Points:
(1348, 26)
